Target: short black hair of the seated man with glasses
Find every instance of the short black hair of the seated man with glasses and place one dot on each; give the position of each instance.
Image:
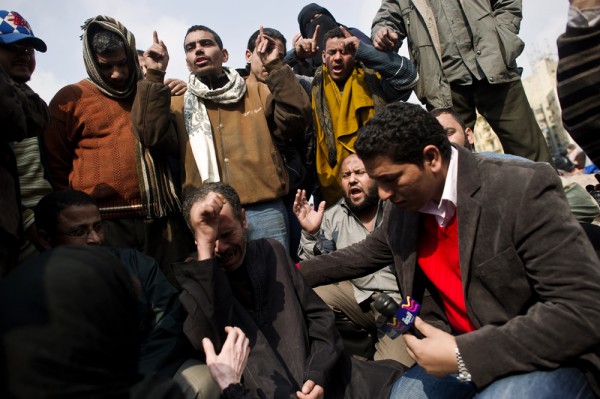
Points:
(51, 205)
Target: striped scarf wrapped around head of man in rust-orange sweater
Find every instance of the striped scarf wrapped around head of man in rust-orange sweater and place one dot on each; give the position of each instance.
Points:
(157, 188)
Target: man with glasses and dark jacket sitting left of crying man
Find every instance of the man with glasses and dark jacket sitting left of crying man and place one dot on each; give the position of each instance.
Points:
(71, 217)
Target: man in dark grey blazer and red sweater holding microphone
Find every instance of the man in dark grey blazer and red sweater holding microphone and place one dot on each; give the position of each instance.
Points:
(508, 282)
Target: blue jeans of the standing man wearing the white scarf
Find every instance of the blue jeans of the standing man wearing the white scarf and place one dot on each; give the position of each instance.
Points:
(268, 220)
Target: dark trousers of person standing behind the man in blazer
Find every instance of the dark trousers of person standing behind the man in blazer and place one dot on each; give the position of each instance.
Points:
(507, 110)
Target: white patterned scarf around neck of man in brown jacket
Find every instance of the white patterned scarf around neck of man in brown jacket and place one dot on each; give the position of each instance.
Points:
(197, 122)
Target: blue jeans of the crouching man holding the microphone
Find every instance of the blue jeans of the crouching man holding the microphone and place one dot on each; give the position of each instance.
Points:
(566, 382)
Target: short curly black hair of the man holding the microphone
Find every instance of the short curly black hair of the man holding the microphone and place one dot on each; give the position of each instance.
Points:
(400, 131)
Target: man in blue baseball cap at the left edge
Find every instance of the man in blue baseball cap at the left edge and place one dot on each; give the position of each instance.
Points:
(22, 114)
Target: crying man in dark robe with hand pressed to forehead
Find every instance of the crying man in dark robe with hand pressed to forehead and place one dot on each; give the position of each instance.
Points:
(253, 284)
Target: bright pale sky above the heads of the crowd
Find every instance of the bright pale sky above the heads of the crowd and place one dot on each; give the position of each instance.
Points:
(58, 23)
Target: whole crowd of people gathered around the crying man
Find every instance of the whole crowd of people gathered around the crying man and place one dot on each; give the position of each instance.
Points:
(229, 235)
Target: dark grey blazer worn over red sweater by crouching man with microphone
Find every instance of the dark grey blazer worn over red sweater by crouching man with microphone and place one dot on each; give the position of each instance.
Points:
(531, 277)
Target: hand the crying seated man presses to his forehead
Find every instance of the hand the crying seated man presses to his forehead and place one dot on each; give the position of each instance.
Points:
(204, 218)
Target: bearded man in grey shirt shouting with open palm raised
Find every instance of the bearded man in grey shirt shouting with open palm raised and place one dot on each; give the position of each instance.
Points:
(349, 221)
